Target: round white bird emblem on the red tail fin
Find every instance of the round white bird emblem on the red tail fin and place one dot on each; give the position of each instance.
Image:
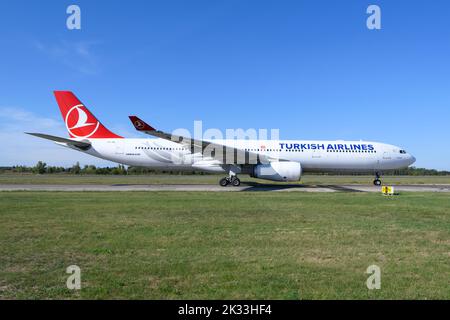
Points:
(80, 123)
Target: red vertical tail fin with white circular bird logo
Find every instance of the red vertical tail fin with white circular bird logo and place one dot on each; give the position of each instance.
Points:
(80, 122)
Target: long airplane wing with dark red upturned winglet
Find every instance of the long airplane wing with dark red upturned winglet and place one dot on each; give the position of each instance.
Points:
(216, 150)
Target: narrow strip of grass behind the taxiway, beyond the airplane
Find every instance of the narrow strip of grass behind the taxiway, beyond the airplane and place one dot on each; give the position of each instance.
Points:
(207, 179)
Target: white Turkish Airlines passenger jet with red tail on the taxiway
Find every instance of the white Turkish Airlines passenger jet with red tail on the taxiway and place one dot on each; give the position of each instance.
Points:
(274, 160)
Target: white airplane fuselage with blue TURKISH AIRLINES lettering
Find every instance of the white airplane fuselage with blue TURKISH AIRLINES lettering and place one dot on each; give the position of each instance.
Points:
(314, 156)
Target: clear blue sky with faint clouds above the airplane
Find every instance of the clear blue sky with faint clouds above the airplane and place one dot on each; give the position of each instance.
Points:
(310, 68)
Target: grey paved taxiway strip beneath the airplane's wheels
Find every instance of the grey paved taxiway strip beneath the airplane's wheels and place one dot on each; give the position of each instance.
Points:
(217, 188)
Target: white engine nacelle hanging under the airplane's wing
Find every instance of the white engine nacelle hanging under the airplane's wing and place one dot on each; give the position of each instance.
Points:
(278, 171)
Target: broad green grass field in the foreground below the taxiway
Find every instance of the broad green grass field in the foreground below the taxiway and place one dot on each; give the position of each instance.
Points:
(174, 245)
